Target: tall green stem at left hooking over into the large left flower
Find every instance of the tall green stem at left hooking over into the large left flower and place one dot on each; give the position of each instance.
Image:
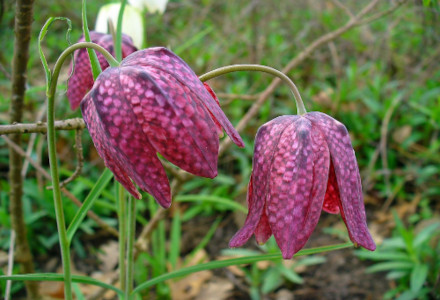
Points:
(59, 213)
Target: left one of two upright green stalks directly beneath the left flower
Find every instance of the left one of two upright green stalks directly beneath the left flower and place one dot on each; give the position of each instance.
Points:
(122, 218)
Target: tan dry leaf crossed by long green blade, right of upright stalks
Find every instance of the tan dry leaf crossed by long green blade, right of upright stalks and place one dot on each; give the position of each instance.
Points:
(189, 286)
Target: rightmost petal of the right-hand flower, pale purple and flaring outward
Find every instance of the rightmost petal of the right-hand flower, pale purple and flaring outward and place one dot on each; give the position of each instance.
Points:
(348, 177)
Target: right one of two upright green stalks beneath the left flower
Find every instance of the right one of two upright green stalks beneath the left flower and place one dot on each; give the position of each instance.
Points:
(130, 246)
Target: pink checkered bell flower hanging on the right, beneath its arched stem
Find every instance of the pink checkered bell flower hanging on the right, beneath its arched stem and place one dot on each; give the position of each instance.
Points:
(303, 165)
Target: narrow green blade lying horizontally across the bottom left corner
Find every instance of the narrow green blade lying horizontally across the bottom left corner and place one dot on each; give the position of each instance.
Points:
(60, 277)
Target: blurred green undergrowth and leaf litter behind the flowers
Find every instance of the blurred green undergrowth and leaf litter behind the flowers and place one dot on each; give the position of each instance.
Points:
(380, 79)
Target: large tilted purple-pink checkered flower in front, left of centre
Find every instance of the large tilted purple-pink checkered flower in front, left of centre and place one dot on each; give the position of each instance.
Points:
(153, 102)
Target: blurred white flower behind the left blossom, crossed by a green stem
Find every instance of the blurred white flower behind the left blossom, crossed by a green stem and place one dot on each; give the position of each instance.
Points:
(132, 21)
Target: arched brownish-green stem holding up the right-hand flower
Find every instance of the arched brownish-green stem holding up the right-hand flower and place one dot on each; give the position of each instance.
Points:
(259, 68)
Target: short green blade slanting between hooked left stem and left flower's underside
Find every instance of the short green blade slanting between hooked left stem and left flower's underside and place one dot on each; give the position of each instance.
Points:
(102, 182)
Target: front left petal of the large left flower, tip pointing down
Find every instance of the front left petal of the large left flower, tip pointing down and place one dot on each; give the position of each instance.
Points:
(125, 138)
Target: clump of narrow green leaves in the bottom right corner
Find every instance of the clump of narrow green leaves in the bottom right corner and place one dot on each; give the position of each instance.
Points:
(411, 258)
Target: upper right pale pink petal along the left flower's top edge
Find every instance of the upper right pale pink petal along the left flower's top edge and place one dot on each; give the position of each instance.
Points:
(166, 61)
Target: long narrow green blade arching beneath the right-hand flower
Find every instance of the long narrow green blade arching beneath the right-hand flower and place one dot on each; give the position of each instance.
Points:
(232, 262)
